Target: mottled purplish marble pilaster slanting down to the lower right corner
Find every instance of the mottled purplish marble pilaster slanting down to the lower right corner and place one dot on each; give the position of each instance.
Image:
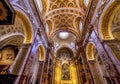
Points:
(110, 72)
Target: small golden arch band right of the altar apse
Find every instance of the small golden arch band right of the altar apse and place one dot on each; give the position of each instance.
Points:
(90, 51)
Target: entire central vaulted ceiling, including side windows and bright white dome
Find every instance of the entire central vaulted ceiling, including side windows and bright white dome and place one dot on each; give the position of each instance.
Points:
(63, 20)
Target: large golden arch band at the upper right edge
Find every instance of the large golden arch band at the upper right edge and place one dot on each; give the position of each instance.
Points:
(106, 18)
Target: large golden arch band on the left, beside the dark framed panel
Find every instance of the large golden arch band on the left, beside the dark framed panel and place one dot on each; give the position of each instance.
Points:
(26, 26)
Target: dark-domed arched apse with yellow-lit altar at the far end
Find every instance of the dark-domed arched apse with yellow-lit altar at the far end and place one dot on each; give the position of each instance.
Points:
(65, 69)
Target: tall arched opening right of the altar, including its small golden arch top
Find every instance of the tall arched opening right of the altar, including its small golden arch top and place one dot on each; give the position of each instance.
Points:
(95, 63)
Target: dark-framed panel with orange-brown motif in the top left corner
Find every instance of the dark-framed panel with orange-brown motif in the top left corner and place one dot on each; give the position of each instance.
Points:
(7, 13)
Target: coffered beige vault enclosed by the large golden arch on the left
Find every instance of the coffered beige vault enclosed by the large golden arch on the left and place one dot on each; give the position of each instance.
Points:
(11, 31)
